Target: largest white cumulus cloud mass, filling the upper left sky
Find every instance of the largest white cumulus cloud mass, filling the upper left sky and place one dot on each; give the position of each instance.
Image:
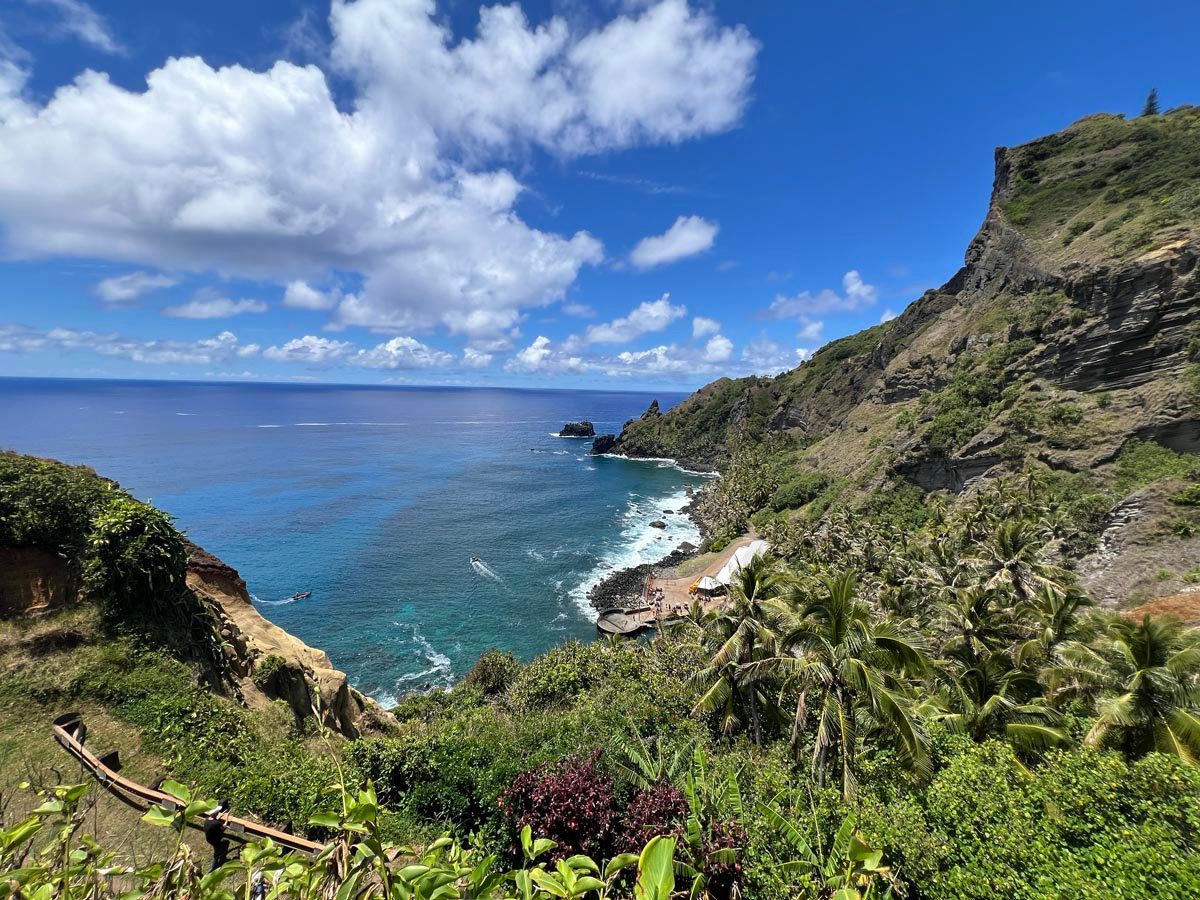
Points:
(405, 183)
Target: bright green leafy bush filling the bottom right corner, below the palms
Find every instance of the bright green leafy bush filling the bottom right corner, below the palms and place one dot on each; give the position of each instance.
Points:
(1083, 825)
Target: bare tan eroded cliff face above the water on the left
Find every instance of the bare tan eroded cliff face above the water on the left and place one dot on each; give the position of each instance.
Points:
(307, 679)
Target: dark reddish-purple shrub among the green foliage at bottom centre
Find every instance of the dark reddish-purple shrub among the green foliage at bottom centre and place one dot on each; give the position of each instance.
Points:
(574, 805)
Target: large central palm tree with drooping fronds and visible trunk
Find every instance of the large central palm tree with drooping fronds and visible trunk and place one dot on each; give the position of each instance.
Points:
(853, 665)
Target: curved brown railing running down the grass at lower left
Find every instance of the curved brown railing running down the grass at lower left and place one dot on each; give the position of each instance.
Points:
(71, 733)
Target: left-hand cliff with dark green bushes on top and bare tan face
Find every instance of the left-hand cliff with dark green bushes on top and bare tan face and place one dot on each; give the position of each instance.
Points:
(69, 537)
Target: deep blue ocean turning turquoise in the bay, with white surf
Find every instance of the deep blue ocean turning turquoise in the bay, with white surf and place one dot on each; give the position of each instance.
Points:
(375, 500)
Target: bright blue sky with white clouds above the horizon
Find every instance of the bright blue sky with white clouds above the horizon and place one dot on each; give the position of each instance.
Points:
(629, 195)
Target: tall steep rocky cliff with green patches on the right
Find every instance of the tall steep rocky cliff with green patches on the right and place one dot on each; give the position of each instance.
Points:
(1070, 331)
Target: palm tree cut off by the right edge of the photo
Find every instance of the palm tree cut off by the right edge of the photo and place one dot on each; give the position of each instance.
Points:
(1147, 677)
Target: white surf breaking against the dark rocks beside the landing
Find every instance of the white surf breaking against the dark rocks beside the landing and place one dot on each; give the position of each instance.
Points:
(640, 543)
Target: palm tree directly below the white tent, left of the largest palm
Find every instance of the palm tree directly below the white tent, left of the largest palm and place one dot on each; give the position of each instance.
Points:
(740, 634)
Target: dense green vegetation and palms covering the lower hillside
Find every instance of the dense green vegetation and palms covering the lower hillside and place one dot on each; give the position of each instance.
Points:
(941, 697)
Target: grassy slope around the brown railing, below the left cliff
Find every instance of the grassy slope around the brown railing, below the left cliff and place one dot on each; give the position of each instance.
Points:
(152, 707)
